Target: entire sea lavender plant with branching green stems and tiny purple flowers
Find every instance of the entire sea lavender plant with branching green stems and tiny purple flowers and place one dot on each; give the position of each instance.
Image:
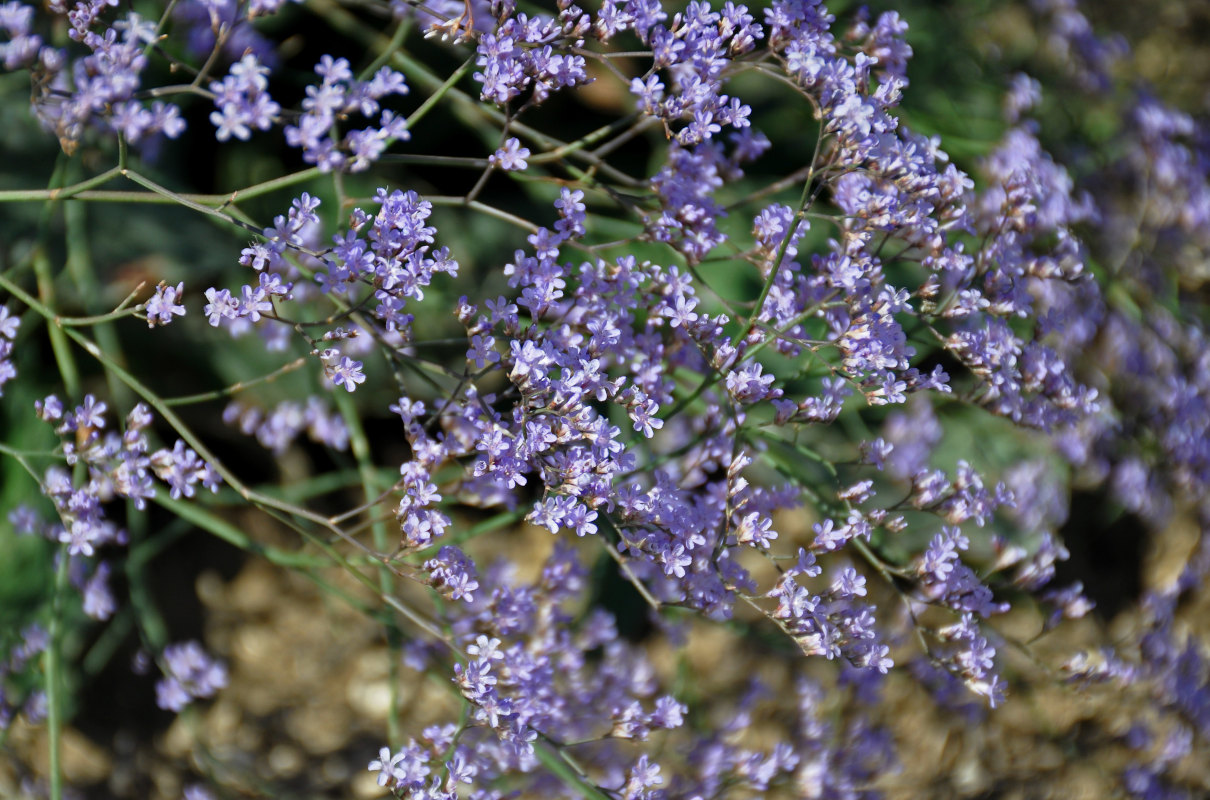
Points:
(718, 358)
